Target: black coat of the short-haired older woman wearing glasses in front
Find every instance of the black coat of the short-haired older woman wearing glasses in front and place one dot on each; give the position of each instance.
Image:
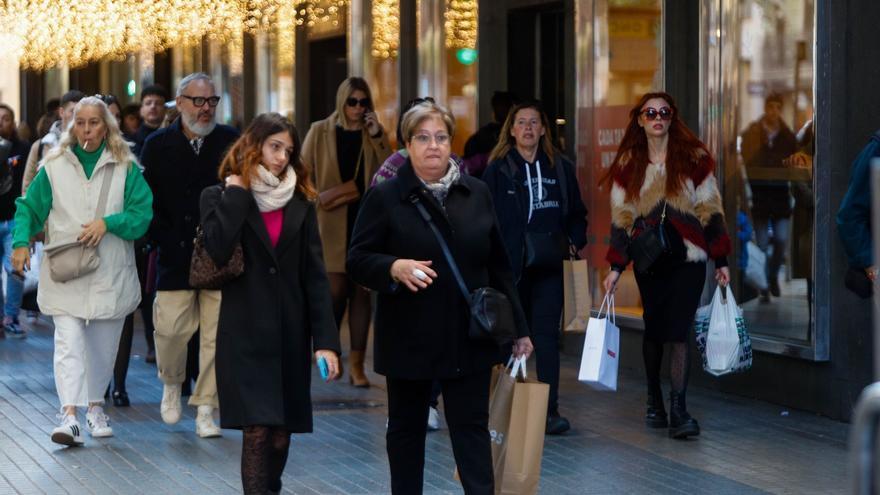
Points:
(423, 335)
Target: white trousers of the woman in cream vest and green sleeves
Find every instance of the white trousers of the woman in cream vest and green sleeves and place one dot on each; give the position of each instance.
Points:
(84, 357)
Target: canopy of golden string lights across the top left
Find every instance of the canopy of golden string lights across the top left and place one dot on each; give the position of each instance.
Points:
(43, 34)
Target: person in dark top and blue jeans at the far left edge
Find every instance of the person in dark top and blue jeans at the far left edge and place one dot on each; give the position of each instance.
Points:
(11, 174)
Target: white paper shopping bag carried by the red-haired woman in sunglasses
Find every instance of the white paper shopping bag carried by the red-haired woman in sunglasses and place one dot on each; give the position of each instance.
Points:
(601, 355)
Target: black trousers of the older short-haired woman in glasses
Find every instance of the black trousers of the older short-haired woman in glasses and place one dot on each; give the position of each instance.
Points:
(466, 404)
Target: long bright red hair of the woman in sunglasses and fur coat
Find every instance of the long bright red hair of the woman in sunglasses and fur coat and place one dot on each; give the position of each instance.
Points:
(632, 153)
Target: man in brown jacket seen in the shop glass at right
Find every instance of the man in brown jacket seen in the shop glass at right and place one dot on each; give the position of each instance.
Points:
(766, 143)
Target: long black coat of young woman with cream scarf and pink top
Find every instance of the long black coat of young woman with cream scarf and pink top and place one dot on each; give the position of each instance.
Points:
(273, 316)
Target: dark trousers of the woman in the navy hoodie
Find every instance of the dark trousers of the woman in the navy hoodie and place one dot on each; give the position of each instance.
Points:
(542, 296)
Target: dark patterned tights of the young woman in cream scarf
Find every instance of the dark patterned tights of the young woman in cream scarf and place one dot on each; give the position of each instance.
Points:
(263, 456)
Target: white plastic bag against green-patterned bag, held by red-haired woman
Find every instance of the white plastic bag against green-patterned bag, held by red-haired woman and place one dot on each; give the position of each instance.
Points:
(722, 341)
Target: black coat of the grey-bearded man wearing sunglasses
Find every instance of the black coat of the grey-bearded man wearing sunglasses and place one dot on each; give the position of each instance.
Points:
(177, 176)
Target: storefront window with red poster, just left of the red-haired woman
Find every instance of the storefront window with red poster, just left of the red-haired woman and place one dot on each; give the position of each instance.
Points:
(619, 54)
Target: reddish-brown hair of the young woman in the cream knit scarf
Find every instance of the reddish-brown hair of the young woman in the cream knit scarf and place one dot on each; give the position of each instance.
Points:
(247, 153)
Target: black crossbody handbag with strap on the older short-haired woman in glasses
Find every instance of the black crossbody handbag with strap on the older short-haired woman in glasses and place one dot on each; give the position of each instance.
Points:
(491, 312)
